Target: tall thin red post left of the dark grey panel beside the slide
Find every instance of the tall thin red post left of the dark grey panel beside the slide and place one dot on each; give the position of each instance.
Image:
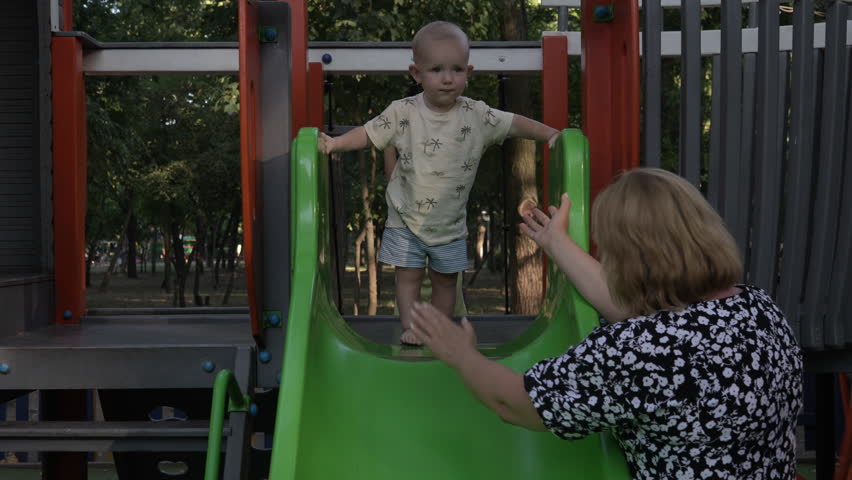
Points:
(249, 48)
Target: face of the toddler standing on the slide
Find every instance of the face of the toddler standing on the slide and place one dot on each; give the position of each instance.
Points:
(442, 70)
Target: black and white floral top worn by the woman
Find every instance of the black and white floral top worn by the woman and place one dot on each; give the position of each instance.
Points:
(712, 391)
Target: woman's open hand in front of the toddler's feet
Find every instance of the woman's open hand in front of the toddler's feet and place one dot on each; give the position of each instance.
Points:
(449, 342)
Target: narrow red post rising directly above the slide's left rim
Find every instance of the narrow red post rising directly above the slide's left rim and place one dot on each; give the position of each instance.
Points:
(299, 61)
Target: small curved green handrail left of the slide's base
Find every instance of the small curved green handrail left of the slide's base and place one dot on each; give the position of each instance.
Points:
(225, 385)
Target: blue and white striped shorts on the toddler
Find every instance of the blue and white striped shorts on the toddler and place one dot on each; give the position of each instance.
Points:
(402, 248)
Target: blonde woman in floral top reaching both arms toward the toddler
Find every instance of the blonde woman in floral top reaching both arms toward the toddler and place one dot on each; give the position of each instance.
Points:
(696, 375)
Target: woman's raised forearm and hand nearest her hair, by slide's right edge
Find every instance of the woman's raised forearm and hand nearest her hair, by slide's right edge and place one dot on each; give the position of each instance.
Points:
(551, 234)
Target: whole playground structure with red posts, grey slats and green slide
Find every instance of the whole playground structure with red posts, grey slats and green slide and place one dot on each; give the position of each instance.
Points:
(49, 342)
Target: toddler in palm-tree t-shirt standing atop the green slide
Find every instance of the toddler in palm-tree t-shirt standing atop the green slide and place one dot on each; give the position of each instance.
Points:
(439, 137)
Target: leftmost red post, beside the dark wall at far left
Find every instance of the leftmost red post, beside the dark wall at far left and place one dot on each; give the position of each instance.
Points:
(69, 178)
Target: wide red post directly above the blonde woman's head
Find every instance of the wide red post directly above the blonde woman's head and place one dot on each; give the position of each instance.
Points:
(611, 89)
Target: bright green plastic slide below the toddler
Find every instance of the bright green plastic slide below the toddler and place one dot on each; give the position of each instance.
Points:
(353, 409)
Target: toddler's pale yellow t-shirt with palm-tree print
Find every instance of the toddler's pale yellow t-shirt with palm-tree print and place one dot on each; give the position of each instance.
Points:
(437, 157)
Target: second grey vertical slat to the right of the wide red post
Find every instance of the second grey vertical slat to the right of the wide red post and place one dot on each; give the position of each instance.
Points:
(690, 94)
